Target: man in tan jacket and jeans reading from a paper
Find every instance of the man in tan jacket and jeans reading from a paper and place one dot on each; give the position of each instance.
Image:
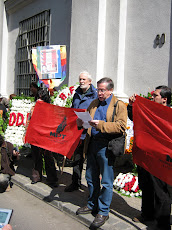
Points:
(99, 159)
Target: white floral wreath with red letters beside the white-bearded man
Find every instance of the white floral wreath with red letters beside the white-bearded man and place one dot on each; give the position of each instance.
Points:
(64, 96)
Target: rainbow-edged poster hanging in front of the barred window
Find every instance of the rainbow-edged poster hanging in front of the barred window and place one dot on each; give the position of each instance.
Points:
(50, 64)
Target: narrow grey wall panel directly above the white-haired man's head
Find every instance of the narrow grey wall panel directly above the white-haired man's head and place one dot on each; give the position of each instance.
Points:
(83, 45)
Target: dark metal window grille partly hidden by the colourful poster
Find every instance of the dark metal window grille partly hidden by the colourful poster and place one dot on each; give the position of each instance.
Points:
(33, 32)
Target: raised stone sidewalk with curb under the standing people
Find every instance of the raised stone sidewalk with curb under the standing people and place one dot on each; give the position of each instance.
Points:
(123, 208)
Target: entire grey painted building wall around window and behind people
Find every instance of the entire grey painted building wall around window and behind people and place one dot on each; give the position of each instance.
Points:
(75, 23)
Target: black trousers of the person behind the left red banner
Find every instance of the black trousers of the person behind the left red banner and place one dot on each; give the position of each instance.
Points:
(37, 154)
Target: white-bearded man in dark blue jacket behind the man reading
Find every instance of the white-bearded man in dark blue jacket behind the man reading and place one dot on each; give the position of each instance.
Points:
(83, 96)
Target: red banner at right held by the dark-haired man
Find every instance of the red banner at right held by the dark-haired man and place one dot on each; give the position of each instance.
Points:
(152, 148)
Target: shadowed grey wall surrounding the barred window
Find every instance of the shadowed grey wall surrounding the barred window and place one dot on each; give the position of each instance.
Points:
(60, 29)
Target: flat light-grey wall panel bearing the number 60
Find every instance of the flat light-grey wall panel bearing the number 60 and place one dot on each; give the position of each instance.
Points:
(147, 65)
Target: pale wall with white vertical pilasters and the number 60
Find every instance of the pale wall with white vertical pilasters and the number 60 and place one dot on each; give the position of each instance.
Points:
(143, 66)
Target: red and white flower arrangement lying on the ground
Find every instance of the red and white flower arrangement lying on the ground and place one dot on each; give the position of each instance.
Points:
(127, 184)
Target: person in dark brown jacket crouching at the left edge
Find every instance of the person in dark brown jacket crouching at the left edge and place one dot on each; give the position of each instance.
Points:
(7, 156)
